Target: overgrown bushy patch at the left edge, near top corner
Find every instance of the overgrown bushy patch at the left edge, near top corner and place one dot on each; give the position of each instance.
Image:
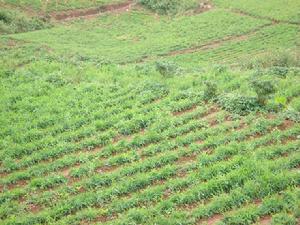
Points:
(12, 21)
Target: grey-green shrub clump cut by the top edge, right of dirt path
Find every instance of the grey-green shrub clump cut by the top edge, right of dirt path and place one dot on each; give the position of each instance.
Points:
(169, 6)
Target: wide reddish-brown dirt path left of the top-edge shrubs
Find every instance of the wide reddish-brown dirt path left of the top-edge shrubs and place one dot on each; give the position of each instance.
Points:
(92, 12)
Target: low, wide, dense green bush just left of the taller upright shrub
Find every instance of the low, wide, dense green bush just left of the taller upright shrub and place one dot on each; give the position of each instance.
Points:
(238, 104)
